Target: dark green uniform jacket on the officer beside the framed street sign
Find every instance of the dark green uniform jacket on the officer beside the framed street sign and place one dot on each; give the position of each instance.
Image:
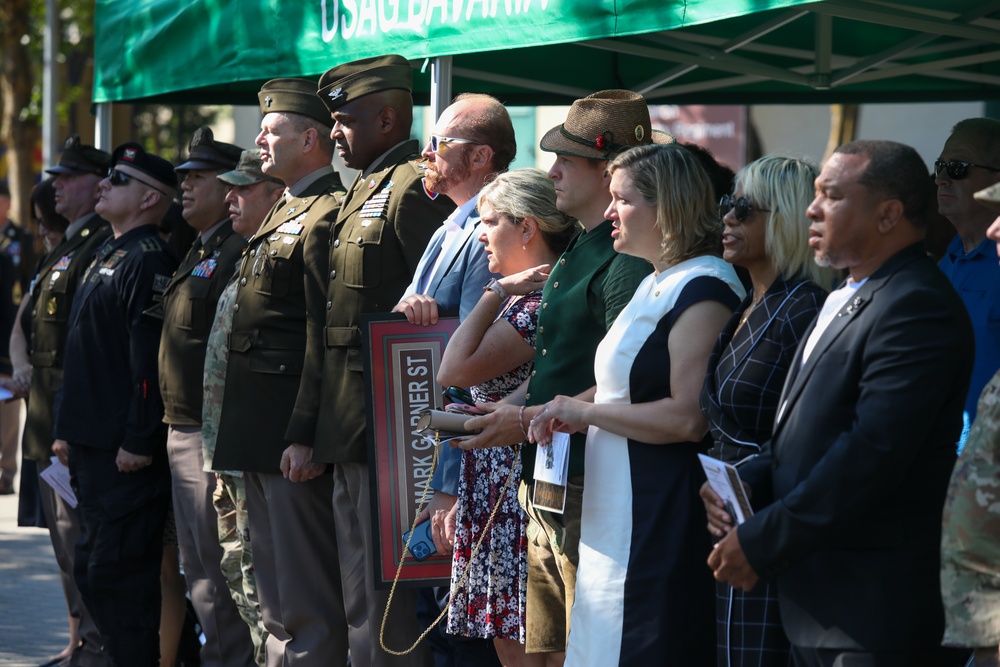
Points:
(379, 237)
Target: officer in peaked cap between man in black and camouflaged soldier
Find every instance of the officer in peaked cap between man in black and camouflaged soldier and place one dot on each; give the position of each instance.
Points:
(189, 307)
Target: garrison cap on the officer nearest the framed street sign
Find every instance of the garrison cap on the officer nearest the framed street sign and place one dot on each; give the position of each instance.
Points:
(346, 83)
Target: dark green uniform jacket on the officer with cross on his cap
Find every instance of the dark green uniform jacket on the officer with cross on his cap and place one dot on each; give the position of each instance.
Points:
(283, 268)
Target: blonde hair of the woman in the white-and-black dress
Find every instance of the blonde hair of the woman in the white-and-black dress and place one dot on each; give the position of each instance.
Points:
(671, 179)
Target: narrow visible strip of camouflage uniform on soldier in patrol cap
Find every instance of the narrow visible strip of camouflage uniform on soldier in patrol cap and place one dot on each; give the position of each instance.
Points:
(229, 497)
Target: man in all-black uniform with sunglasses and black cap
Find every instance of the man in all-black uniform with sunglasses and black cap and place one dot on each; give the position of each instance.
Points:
(111, 413)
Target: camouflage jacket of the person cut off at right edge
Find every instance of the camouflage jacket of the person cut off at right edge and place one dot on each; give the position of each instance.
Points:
(970, 544)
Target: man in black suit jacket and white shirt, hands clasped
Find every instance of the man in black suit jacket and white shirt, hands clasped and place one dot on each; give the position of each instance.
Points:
(848, 494)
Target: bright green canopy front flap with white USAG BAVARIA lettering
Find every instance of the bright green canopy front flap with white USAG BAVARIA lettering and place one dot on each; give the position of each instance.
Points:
(225, 48)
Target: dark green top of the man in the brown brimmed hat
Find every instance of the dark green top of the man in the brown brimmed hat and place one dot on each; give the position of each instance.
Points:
(585, 291)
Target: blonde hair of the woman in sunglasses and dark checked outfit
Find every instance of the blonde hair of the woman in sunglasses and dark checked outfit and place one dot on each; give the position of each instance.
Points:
(783, 186)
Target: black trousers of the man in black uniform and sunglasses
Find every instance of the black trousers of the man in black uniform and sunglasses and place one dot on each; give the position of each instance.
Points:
(120, 550)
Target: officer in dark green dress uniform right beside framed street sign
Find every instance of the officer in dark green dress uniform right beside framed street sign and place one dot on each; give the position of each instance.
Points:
(379, 236)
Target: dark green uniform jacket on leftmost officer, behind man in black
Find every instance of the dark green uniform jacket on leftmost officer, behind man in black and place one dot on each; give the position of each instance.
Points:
(52, 294)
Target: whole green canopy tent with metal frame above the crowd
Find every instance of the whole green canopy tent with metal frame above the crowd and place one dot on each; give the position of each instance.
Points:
(553, 51)
